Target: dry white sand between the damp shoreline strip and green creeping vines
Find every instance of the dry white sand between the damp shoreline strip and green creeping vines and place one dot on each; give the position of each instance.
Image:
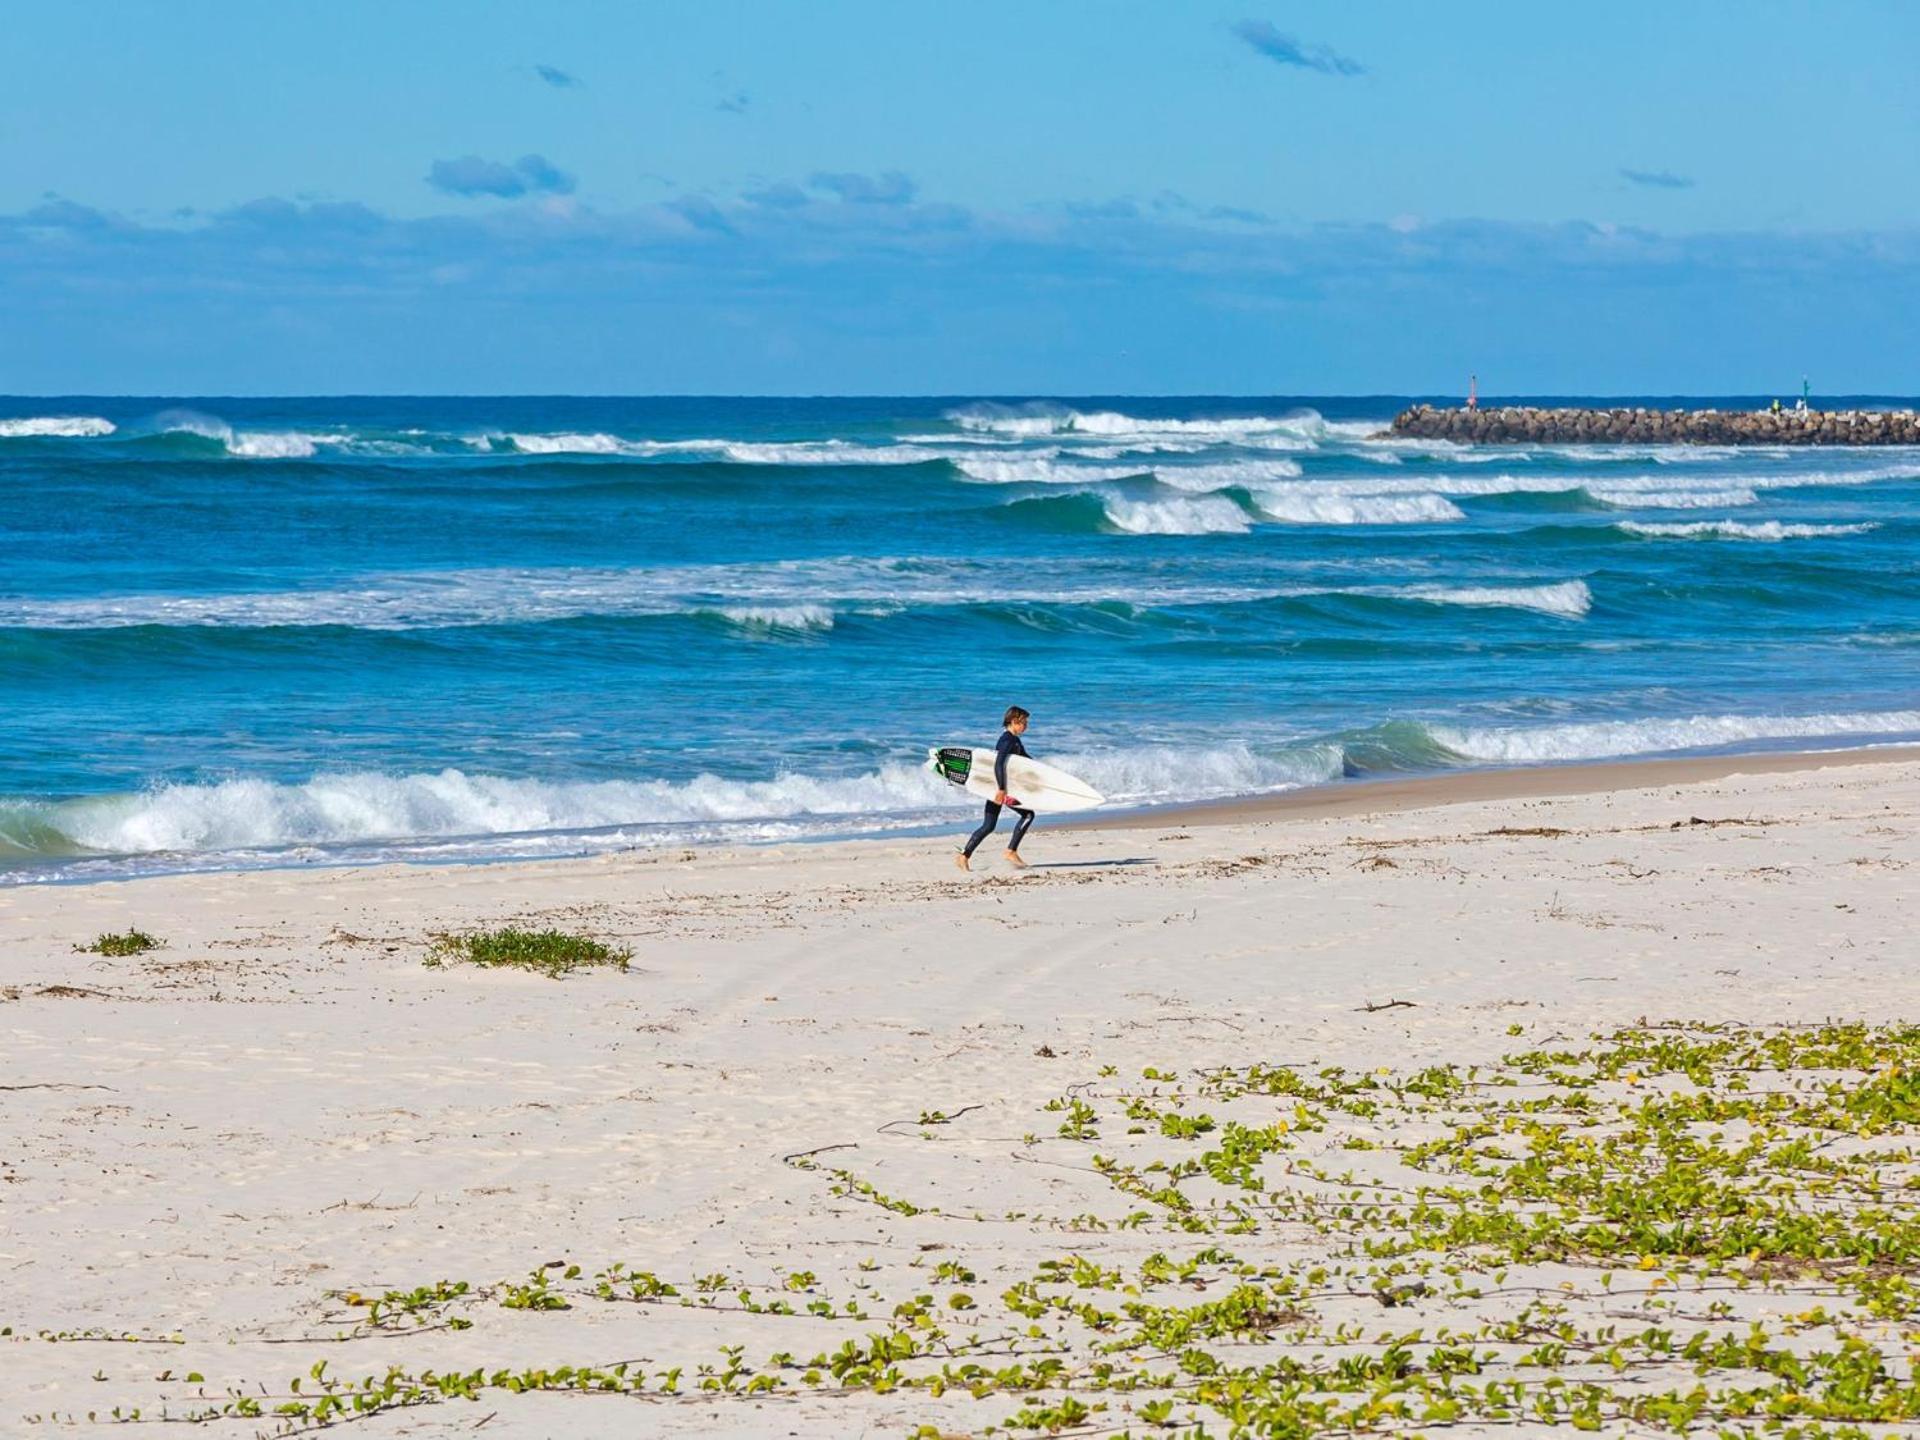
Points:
(285, 1103)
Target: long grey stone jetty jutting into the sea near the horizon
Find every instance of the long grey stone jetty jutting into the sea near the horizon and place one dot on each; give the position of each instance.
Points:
(1648, 427)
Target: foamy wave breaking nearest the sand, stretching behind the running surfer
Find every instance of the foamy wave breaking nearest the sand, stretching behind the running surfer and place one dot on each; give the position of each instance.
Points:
(460, 815)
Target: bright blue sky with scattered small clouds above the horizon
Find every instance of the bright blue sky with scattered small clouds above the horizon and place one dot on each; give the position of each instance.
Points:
(226, 197)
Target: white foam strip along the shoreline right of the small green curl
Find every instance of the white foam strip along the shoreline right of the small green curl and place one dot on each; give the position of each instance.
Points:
(1610, 738)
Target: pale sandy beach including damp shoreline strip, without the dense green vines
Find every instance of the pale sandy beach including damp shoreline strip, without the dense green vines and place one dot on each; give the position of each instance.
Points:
(846, 1082)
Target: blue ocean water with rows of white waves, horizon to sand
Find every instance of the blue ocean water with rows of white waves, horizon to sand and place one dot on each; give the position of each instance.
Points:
(243, 633)
